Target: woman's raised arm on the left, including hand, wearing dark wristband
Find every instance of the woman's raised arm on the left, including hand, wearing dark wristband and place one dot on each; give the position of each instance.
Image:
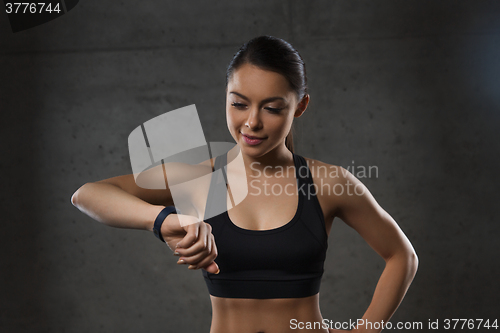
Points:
(119, 202)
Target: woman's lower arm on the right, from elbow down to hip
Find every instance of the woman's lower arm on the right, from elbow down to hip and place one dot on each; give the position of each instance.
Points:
(391, 288)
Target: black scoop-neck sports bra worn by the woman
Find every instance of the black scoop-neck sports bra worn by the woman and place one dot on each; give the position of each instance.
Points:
(285, 262)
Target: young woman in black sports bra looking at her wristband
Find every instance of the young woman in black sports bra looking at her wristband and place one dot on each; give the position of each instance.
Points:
(262, 259)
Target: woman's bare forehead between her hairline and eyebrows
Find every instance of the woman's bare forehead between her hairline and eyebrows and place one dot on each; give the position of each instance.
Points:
(253, 81)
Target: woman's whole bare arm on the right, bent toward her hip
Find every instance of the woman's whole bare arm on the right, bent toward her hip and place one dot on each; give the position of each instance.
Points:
(358, 209)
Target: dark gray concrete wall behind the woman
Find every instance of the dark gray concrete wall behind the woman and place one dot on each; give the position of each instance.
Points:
(409, 86)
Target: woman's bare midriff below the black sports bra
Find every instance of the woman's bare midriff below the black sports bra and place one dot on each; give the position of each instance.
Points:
(265, 315)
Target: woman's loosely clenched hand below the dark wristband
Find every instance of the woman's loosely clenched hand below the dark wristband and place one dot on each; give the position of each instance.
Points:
(193, 243)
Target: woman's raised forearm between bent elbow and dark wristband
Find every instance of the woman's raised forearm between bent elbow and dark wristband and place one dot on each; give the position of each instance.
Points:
(110, 205)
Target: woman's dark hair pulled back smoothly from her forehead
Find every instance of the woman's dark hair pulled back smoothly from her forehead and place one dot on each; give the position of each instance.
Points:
(277, 55)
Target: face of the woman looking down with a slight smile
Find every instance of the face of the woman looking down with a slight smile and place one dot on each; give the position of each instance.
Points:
(260, 107)
